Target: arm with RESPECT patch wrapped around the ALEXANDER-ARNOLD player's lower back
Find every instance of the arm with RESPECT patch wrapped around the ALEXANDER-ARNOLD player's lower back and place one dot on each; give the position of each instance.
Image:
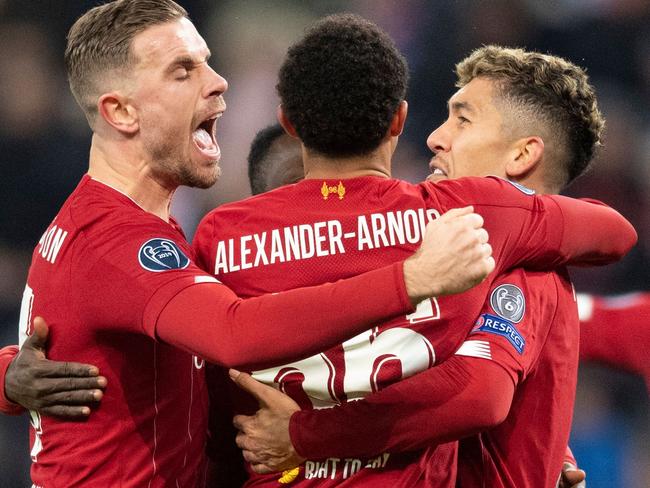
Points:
(468, 393)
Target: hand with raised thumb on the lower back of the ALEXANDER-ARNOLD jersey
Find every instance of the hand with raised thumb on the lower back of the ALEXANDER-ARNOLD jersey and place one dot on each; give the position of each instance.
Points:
(264, 437)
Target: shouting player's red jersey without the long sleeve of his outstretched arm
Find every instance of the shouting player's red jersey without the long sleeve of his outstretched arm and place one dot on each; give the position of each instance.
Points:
(96, 272)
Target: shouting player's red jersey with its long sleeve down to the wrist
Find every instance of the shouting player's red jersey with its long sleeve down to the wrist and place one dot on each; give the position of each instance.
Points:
(111, 279)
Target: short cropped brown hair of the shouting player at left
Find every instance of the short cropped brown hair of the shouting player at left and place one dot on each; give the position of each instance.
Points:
(100, 42)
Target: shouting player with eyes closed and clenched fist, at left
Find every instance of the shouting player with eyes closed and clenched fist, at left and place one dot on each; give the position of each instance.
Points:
(116, 280)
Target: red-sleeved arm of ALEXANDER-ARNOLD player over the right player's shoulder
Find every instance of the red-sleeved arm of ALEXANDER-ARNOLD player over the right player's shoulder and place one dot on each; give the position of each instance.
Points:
(539, 232)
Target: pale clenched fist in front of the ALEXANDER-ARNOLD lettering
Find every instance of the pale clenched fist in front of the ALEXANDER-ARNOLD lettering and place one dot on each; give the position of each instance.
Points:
(454, 256)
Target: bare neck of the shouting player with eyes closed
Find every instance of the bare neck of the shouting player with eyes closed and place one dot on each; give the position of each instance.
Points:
(125, 169)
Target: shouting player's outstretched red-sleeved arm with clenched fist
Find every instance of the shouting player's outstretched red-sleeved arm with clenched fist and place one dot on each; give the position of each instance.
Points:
(210, 321)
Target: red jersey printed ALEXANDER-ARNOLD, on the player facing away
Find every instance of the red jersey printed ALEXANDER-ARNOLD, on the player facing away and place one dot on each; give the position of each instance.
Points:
(317, 231)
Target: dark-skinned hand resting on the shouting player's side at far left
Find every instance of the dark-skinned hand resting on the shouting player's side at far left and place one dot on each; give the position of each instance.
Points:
(51, 387)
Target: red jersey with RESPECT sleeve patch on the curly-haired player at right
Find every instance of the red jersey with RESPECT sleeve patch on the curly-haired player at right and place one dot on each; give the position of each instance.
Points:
(529, 326)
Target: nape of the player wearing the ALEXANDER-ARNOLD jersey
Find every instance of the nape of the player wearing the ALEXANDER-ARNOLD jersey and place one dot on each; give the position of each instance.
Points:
(376, 163)
